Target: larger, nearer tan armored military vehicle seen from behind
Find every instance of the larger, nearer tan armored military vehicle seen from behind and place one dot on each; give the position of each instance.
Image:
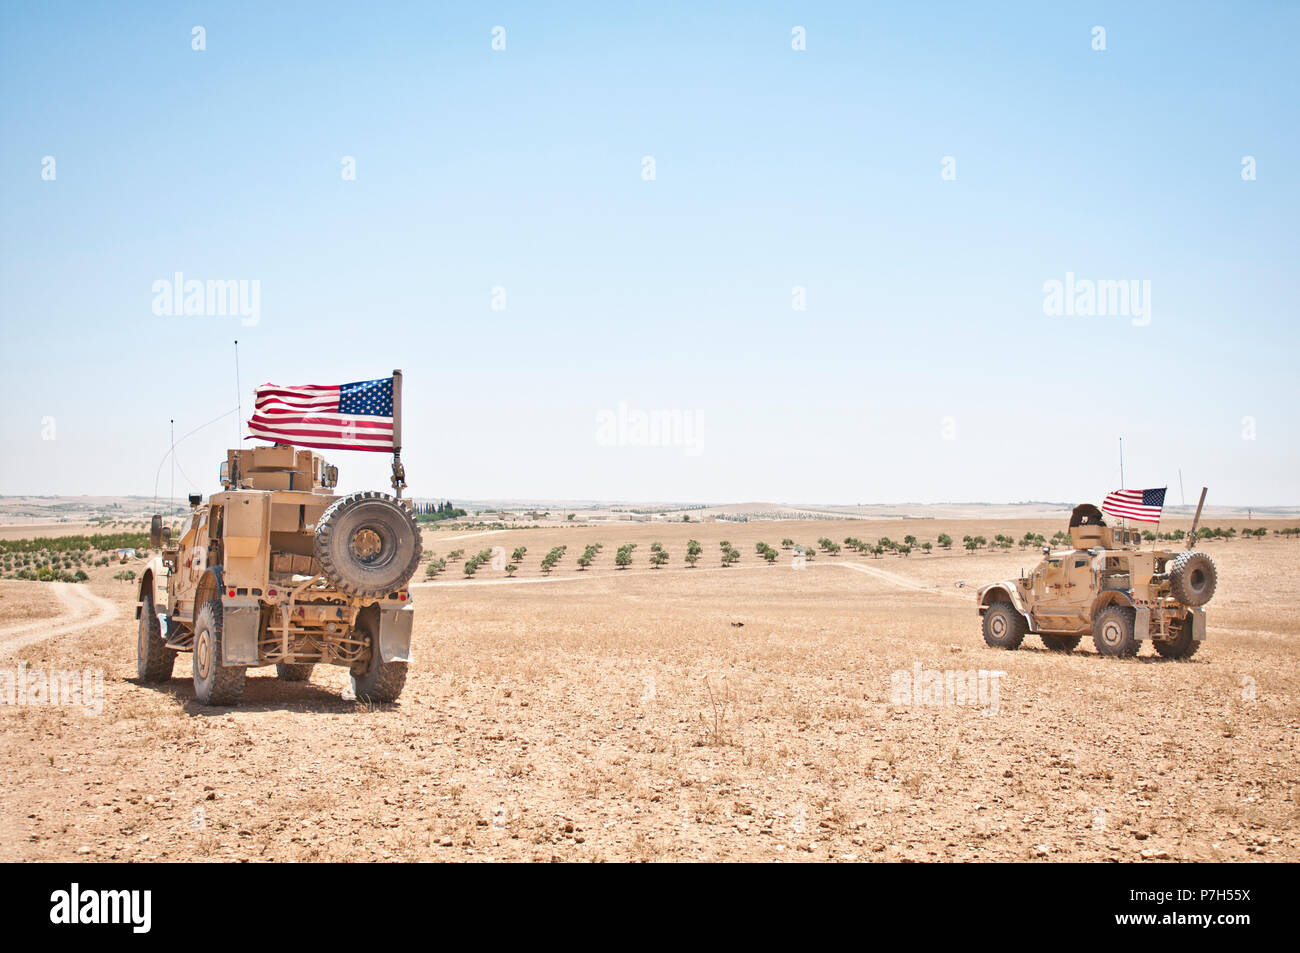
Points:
(278, 570)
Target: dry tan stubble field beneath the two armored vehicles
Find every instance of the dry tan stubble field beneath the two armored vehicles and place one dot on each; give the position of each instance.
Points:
(740, 713)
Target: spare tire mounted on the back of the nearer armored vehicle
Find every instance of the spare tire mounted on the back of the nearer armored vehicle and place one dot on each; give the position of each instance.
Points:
(369, 545)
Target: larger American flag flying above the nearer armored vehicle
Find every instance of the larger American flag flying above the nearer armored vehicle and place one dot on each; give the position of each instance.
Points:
(339, 417)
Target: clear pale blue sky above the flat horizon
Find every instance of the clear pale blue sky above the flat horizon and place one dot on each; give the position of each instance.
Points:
(523, 170)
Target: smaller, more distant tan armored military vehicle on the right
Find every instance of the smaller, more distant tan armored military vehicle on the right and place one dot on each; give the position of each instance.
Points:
(1110, 587)
